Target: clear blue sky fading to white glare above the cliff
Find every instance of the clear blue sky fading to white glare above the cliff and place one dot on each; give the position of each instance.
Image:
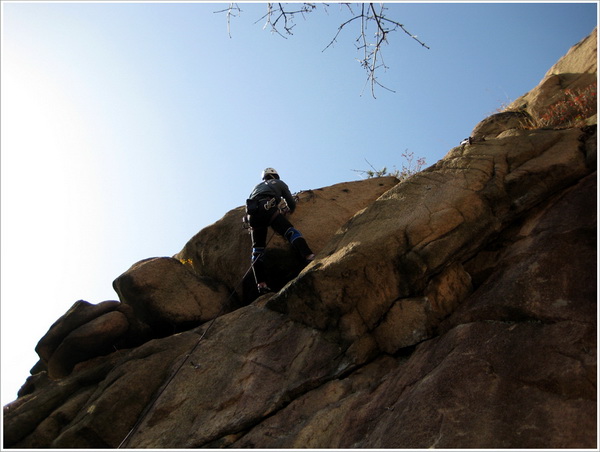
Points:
(128, 127)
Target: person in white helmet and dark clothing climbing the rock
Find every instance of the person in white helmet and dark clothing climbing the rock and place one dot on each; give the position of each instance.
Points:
(262, 208)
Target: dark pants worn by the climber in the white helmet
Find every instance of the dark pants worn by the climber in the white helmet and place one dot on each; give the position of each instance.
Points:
(259, 223)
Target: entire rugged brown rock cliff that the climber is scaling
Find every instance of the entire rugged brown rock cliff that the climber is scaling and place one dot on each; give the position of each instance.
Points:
(456, 309)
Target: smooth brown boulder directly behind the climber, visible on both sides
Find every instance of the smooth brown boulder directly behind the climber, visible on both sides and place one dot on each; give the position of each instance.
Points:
(319, 214)
